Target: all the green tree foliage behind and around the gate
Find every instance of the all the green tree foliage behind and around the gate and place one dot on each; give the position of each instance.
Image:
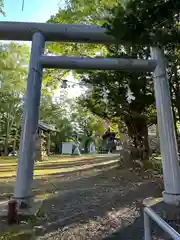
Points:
(125, 99)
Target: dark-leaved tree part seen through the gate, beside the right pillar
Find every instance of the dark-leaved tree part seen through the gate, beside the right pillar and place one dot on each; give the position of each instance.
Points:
(137, 114)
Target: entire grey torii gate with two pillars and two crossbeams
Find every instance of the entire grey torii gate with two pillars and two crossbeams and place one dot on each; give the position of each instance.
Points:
(39, 33)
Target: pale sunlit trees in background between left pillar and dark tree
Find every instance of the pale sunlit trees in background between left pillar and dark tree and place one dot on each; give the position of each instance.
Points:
(72, 122)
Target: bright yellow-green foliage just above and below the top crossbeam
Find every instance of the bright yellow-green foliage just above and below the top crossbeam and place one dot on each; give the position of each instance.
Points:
(80, 12)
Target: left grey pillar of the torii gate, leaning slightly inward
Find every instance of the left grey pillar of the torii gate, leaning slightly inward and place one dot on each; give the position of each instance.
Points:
(30, 122)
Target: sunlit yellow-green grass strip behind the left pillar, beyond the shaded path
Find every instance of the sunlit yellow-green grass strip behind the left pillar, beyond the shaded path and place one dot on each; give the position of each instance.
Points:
(47, 172)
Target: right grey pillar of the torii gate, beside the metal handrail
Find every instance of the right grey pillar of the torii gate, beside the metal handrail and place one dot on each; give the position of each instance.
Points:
(168, 143)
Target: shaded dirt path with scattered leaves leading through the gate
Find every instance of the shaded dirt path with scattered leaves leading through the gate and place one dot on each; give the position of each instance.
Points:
(98, 204)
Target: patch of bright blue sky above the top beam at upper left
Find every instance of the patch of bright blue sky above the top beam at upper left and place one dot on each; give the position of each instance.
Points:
(34, 10)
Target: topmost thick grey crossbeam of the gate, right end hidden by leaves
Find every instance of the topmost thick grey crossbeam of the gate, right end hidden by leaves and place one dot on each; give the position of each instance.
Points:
(23, 31)
